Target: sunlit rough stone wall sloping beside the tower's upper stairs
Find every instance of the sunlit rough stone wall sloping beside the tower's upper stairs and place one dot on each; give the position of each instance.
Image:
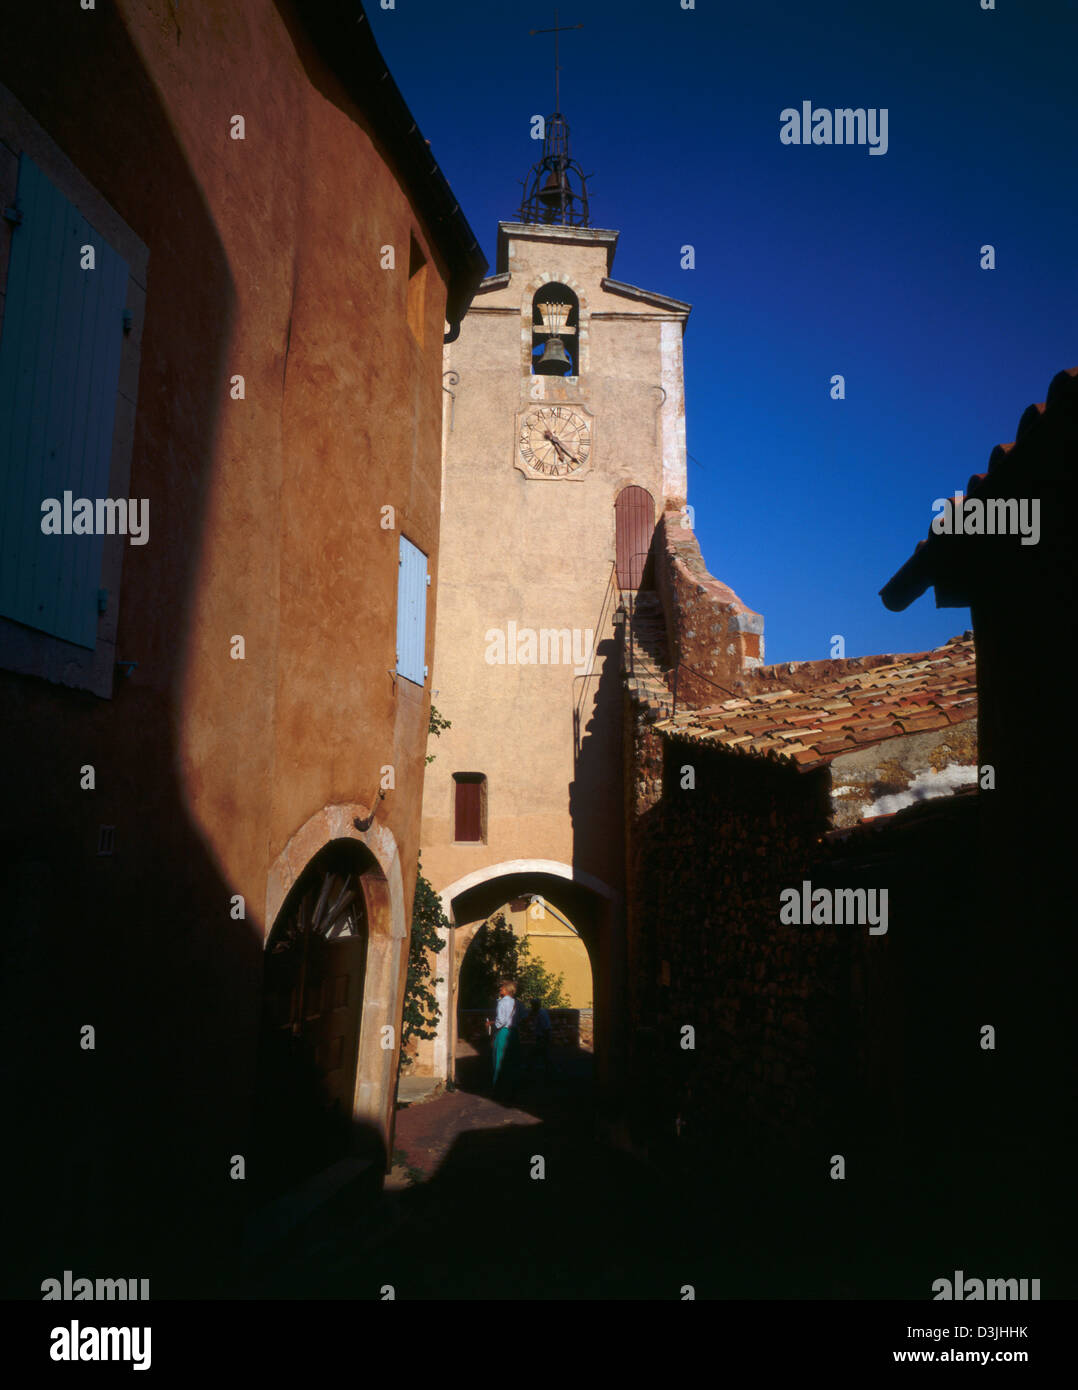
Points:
(715, 637)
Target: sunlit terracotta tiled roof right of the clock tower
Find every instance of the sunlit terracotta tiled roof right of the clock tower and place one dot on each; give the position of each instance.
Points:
(822, 715)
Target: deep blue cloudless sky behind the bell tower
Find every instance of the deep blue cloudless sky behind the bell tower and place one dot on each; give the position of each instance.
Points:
(809, 261)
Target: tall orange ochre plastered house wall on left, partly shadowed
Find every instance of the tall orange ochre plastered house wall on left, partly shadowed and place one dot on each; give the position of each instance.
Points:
(265, 262)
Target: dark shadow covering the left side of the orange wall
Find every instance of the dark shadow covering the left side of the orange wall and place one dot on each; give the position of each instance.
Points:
(122, 1153)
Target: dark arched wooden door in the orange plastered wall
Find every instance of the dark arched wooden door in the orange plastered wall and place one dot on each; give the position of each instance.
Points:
(315, 972)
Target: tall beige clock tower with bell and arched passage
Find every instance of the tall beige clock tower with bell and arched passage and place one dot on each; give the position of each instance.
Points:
(563, 445)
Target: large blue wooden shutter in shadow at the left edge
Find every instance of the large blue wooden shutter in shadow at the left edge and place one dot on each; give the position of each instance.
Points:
(60, 345)
